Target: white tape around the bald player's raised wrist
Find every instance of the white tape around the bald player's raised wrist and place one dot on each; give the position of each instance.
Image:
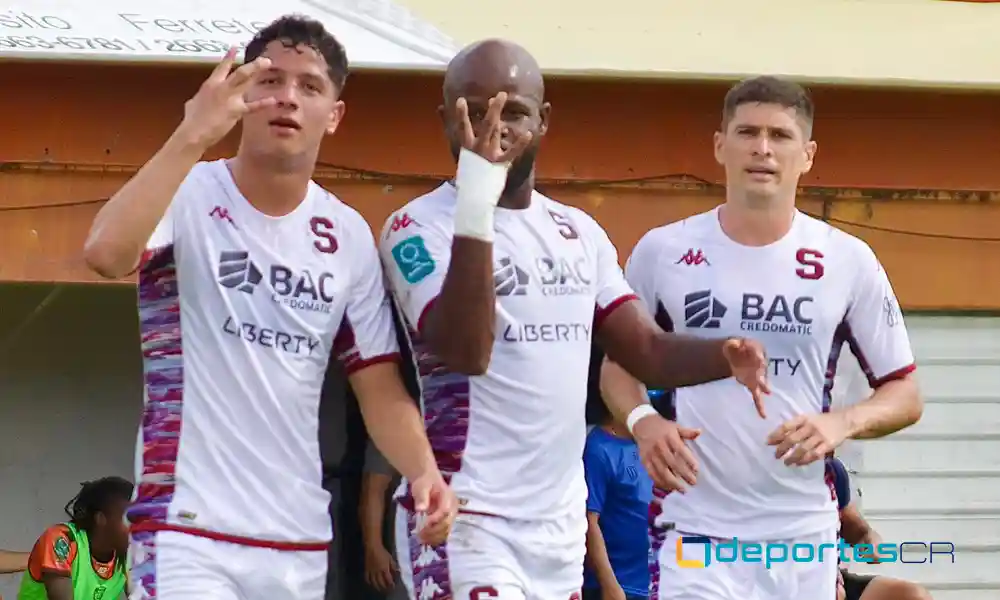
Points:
(479, 183)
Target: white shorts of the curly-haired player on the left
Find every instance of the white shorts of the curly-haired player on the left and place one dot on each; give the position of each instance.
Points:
(167, 565)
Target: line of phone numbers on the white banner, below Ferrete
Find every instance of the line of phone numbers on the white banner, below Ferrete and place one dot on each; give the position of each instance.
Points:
(136, 46)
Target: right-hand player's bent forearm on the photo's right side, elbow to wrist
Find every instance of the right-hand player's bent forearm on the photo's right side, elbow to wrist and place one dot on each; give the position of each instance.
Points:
(893, 406)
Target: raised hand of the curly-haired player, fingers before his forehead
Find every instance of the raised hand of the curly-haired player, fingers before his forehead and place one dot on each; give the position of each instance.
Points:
(220, 102)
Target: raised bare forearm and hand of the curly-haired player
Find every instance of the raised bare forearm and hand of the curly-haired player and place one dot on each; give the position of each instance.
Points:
(126, 222)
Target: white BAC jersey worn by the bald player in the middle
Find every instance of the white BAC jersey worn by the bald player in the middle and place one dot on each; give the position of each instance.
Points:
(512, 439)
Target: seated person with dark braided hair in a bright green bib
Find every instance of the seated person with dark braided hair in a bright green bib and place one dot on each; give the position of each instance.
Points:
(84, 558)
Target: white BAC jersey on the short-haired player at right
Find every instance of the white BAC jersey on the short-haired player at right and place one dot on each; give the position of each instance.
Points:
(803, 297)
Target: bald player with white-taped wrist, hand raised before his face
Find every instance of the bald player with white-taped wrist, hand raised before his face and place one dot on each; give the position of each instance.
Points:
(502, 290)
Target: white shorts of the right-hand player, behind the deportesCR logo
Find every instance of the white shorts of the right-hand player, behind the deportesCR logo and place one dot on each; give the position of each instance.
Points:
(741, 580)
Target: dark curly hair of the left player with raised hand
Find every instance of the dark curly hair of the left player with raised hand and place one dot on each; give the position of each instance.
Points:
(299, 30)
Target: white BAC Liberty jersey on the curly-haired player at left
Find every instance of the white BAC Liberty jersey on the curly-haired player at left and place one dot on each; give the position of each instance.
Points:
(240, 313)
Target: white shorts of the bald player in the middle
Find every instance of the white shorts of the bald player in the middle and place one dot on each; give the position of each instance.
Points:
(493, 558)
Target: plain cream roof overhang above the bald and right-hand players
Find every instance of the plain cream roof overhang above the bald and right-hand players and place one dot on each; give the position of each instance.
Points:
(922, 43)
